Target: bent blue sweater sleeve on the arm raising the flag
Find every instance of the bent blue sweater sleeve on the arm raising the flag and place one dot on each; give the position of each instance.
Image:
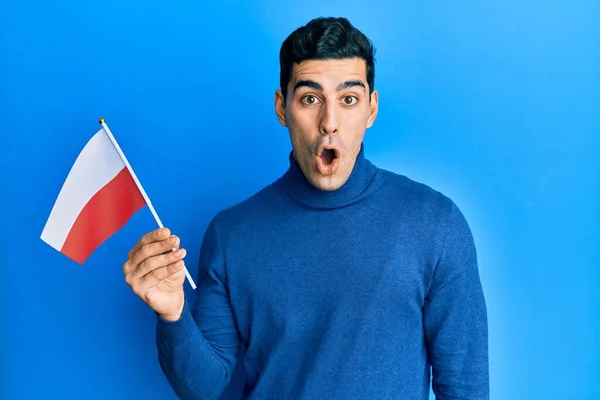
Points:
(197, 353)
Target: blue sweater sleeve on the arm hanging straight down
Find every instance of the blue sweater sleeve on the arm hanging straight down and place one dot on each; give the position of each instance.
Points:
(455, 318)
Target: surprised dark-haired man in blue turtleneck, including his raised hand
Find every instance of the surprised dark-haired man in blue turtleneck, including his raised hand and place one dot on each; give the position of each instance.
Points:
(340, 279)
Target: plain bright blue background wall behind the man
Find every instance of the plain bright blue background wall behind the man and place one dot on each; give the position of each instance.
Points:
(496, 104)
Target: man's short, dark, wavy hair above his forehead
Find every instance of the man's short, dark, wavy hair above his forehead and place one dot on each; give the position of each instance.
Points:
(325, 38)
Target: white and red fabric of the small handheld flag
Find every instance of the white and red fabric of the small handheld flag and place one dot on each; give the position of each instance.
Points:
(97, 199)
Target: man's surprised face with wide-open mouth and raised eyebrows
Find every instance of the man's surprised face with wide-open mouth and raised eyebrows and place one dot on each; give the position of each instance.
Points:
(327, 112)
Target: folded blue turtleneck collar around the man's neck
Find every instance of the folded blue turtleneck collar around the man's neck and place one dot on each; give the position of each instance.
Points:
(298, 187)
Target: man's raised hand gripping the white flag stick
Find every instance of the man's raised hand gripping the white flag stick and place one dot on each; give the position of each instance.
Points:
(155, 272)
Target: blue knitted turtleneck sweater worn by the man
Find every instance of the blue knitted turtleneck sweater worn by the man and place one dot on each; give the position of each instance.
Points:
(351, 294)
